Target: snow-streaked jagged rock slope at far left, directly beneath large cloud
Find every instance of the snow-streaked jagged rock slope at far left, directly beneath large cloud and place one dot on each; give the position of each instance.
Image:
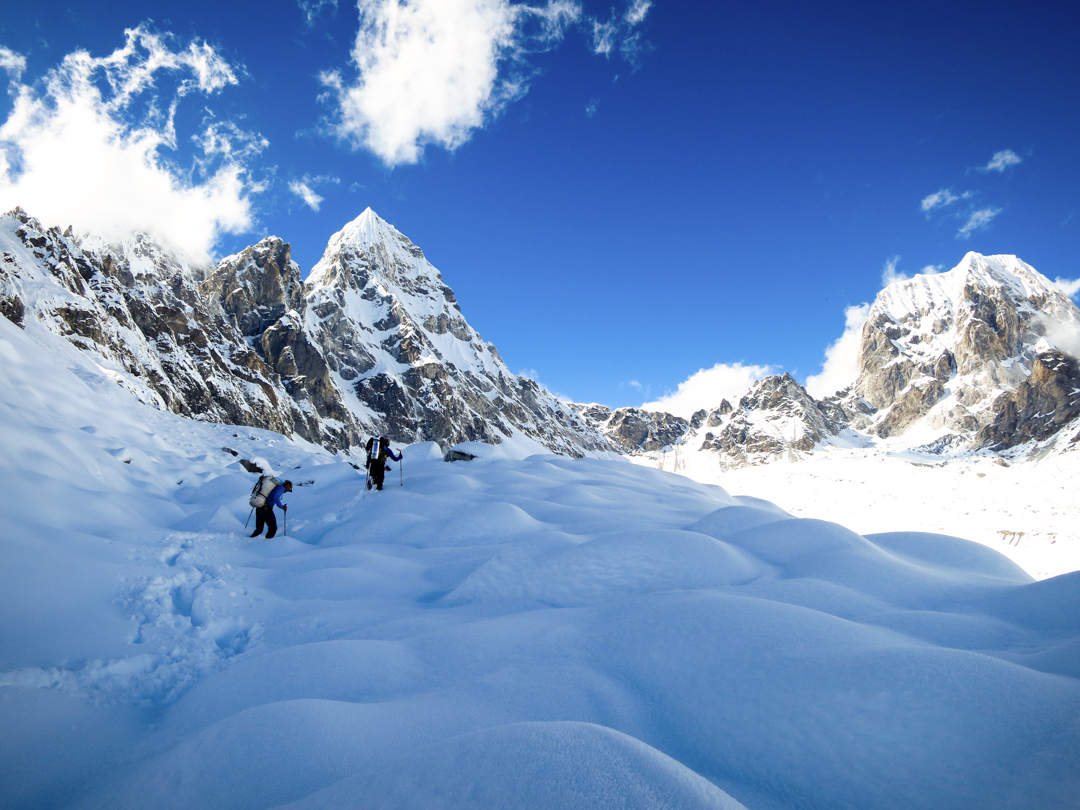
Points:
(138, 309)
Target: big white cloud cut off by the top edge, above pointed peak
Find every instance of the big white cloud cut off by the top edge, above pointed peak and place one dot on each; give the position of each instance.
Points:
(434, 72)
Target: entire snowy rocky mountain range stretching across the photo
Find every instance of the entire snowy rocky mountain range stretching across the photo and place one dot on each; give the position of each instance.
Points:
(978, 360)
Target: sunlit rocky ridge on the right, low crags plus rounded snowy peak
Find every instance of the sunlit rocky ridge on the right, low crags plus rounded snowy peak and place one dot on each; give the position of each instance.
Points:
(951, 363)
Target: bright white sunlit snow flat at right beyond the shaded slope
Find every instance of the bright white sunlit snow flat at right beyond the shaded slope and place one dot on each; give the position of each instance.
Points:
(1027, 511)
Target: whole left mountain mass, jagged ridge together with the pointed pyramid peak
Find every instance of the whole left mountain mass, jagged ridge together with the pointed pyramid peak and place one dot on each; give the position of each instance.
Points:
(374, 342)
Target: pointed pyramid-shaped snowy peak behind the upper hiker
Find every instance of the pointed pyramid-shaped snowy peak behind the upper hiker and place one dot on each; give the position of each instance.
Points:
(398, 347)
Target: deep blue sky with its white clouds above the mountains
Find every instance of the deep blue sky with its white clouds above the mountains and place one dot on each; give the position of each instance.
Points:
(622, 195)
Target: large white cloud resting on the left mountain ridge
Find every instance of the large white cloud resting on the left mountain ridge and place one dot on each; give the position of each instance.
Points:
(98, 129)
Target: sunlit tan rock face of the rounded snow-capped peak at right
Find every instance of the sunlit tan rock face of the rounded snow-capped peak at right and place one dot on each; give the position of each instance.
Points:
(944, 347)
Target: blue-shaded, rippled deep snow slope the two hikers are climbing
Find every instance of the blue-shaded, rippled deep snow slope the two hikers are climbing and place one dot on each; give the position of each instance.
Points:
(526, 633)
